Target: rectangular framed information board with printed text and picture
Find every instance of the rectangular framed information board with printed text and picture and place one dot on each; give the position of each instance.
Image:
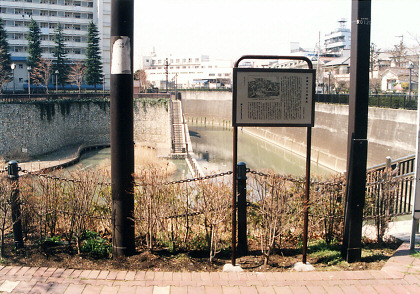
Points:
(273, 97)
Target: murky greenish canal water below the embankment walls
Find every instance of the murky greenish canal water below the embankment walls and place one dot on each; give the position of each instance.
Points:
(213, 148)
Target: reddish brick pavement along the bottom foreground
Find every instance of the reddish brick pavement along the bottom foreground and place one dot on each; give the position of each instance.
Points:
(401, 274)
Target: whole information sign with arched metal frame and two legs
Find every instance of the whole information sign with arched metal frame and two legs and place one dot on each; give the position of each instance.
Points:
(272, 98)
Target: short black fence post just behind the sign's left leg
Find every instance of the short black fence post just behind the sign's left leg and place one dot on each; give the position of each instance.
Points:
(242, 247)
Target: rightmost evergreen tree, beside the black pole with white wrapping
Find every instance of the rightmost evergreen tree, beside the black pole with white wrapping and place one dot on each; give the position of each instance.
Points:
(94, 74)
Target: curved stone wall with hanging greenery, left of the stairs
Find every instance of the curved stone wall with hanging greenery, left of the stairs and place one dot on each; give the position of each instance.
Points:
(42, 127)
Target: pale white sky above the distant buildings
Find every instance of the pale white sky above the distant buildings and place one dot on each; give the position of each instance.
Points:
(228, 29)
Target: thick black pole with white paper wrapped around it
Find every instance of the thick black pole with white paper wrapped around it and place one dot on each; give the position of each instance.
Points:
(122, 142)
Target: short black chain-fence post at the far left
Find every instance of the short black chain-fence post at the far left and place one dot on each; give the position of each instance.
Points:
(13, 175)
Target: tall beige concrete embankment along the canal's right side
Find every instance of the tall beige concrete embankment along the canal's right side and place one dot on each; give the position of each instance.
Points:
(391, 132)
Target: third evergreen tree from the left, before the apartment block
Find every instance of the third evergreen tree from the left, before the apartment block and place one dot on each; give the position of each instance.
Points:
(60, 61)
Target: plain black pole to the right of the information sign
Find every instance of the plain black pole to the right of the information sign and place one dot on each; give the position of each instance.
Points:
(357, 134)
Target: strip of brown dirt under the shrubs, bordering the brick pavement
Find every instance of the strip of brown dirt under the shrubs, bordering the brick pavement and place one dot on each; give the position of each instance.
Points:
(63, 256)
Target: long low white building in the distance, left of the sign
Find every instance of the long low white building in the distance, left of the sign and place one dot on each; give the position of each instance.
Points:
(187, 72)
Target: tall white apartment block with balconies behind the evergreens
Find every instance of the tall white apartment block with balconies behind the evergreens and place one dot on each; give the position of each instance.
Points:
(73, 15)
